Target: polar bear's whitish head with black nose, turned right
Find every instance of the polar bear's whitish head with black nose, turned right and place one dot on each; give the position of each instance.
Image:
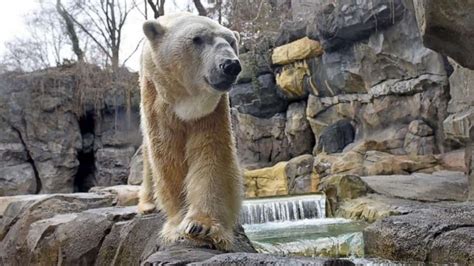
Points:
(193, 51)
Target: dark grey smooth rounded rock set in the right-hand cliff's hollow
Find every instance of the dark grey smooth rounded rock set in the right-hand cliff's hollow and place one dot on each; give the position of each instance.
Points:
(336, 137)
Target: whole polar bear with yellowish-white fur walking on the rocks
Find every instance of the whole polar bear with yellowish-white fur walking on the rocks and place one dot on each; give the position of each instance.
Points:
(191, 172)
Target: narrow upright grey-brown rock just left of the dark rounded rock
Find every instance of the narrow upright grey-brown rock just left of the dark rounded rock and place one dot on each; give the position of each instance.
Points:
(298, 131)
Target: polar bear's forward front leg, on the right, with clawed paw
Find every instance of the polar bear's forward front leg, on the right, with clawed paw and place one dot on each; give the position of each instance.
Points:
(213, 182)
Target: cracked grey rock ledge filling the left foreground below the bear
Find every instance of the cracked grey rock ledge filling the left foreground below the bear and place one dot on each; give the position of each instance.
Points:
(83, 229)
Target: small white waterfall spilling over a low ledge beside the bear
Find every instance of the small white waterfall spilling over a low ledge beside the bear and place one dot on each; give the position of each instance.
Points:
(295, 208)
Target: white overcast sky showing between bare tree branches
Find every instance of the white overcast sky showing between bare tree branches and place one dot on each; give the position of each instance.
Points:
(13, 13)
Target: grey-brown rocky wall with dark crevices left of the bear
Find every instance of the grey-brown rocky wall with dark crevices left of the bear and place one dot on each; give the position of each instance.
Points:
(56, 138)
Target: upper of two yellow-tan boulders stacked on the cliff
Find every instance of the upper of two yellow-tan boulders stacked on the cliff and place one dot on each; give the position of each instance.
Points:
(296, 50)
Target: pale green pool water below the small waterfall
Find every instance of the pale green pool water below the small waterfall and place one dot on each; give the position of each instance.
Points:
(328, 237)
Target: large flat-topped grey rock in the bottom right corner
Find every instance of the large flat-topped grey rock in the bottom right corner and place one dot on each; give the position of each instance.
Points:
(431, 235)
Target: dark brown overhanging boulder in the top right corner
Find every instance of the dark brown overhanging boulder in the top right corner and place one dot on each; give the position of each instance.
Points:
(448, 27)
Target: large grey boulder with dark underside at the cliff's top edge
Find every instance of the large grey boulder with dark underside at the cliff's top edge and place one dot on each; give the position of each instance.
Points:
(344, 22)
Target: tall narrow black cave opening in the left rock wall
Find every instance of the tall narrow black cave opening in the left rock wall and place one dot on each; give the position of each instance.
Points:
(85, 177)
